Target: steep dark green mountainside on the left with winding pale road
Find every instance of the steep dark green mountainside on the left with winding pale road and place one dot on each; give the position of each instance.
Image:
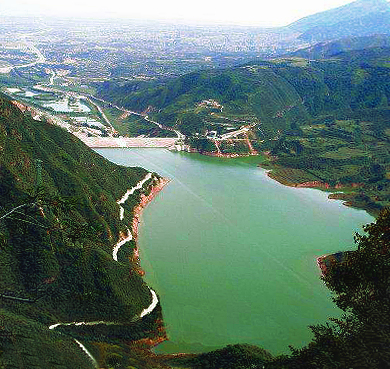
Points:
(59, 223)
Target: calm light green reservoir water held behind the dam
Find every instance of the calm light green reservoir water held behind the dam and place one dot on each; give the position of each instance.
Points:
(232, 253)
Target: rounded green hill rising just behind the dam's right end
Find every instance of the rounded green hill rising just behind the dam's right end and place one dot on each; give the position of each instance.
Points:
(245, 94)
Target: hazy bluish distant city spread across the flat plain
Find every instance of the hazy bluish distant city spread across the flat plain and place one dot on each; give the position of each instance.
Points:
(86, 51)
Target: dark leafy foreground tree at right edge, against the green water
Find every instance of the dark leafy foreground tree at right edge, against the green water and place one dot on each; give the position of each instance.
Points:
(362, 281)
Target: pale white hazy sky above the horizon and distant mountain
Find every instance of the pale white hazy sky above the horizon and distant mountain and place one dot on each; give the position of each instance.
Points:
(250, 12)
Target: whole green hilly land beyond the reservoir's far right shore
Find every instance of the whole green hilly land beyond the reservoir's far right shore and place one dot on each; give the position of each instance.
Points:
(324, 120)
